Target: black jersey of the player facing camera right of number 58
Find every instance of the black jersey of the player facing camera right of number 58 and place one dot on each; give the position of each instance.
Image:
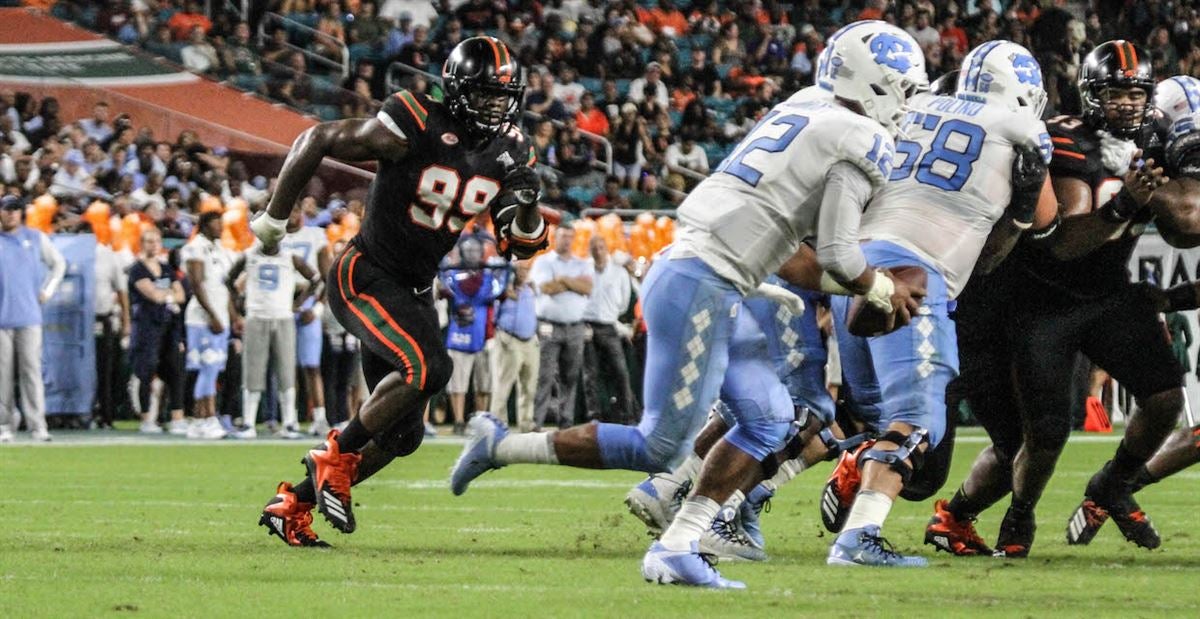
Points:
(1077, 154)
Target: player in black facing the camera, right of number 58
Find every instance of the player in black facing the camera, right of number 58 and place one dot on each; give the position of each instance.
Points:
(1069, 293)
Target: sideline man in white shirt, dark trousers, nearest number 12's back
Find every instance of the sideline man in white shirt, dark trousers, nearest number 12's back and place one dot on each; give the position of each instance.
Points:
(613, 292)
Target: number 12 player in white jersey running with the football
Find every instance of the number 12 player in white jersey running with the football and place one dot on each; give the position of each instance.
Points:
(807, 170)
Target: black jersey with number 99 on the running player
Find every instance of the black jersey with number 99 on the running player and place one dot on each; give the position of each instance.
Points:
(419, 206)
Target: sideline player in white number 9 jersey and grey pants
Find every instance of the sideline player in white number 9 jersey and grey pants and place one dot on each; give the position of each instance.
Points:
(271, 334)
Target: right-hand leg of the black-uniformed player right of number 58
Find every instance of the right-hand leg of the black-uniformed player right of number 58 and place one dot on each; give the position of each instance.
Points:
(1156, 380)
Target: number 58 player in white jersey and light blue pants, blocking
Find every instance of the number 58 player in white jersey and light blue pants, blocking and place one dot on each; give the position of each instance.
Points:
(970, 171)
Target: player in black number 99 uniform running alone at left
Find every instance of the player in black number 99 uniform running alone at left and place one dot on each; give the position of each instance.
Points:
(440, 165)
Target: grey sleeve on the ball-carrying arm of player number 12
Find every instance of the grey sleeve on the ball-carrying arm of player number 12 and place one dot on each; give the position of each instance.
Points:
(847, 193)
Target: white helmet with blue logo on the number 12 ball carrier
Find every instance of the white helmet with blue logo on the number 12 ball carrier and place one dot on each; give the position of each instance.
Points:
(878, 67)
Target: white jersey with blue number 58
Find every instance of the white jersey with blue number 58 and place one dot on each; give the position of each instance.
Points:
(951, 182)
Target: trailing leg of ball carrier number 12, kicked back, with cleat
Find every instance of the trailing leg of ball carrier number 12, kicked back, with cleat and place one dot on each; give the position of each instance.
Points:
(686, 366)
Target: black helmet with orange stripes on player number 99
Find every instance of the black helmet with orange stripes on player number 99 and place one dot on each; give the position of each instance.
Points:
(484, 87)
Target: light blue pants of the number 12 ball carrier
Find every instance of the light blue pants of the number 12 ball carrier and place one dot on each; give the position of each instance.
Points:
(692, 317)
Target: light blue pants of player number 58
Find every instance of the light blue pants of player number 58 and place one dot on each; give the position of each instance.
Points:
(902, 376)
